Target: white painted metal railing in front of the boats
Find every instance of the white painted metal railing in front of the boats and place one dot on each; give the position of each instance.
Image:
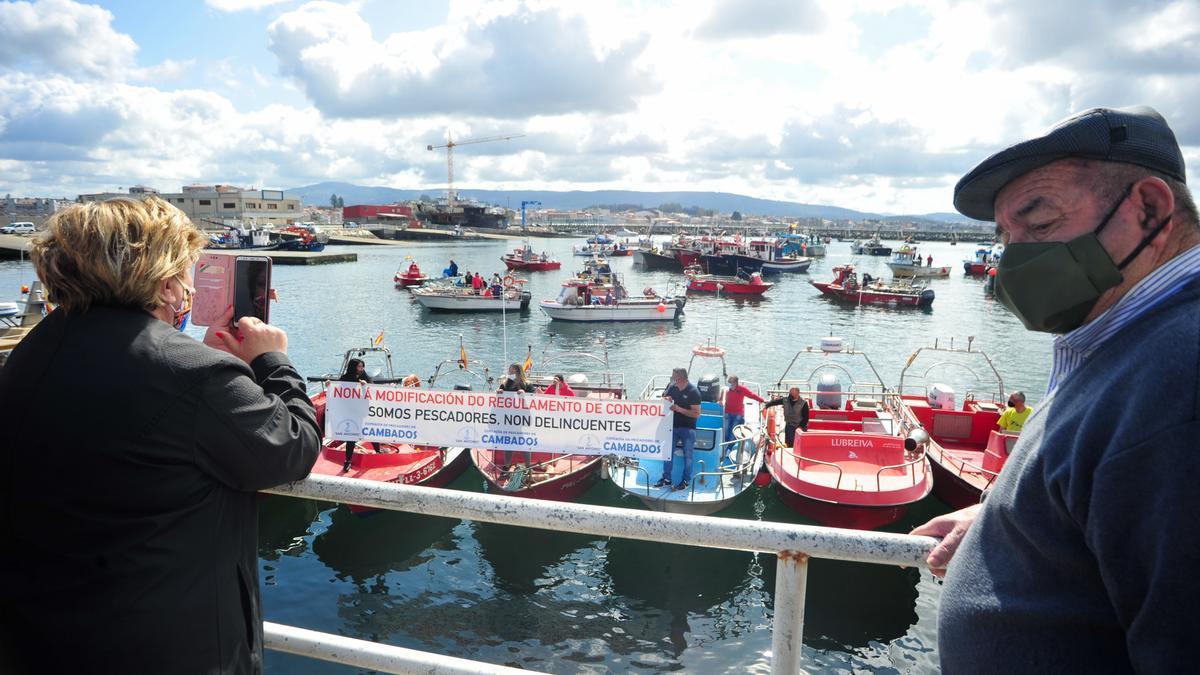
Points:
(793, 546)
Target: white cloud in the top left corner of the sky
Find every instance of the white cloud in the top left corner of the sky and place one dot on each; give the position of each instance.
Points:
(64, 37)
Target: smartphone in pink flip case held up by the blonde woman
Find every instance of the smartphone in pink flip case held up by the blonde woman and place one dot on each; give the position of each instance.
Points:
(224, 280)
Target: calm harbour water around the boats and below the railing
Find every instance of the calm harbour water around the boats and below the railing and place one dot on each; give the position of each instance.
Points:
(568, 604)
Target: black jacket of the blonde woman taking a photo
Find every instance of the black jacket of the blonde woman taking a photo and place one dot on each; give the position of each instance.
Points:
(128, 495)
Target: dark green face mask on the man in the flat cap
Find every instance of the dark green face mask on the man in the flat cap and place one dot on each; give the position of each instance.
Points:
(1053, 286)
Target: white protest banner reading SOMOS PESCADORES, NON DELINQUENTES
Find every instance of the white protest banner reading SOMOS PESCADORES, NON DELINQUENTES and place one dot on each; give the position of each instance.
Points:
(502, 422)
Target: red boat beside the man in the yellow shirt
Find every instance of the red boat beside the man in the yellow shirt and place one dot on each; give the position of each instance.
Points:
(964, 444)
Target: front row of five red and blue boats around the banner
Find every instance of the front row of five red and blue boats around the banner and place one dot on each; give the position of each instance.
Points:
(857, 455)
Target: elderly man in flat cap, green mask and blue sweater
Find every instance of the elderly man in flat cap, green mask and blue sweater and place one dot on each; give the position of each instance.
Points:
(1083, 557)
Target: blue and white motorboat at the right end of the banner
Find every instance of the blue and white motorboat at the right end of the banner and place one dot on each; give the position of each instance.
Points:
(722, 471)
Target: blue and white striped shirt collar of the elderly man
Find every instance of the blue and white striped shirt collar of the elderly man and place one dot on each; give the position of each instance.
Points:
(1073, 349)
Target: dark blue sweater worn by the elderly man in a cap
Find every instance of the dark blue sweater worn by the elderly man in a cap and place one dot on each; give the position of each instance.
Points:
(1087, 553)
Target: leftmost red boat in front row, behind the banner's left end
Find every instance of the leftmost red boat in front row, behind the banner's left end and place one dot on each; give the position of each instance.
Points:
(386, 463)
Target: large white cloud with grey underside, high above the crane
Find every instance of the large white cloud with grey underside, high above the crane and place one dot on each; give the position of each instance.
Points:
(503, 65)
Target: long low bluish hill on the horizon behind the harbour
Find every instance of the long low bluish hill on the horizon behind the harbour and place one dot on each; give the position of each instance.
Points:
(721, 202)
